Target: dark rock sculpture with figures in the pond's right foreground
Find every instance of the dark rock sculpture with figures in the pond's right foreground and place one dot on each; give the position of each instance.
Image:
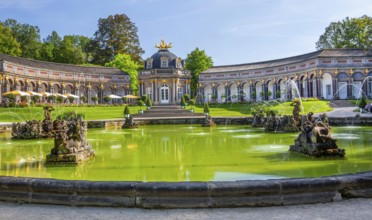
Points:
(315, 138)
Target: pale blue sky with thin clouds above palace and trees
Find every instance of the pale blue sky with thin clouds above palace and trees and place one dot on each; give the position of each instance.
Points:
(230, 31)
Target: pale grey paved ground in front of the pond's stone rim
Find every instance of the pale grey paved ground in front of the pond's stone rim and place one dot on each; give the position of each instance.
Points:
(347, 209)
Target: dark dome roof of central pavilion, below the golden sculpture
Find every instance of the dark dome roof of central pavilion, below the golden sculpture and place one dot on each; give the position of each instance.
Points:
(164, 54)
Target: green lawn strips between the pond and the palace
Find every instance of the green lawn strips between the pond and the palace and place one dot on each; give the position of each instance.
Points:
(116, 112)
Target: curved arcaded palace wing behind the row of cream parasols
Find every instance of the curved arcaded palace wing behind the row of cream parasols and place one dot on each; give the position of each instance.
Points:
(38, 76)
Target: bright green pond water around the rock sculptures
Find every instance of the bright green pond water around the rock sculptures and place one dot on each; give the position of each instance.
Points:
(188, 153)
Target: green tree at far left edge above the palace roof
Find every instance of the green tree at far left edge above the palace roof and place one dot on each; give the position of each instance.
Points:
(8, 44)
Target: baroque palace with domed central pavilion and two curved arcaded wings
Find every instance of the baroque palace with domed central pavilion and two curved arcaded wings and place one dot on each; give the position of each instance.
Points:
(325, 74)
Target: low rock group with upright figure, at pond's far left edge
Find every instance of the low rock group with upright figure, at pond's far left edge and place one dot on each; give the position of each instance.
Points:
(34, 129)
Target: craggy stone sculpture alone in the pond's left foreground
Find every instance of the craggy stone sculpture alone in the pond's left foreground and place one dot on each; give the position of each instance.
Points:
(70, 144)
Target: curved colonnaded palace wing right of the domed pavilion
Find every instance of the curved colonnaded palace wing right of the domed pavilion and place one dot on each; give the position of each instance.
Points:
(325, 74)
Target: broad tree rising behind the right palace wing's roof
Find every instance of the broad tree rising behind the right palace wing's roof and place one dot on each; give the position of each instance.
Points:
(348, 33)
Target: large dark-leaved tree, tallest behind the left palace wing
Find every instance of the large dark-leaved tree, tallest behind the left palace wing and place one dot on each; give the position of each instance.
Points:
(115, 35)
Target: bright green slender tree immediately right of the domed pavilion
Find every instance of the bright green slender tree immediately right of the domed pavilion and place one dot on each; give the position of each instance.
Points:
(197, 61)
